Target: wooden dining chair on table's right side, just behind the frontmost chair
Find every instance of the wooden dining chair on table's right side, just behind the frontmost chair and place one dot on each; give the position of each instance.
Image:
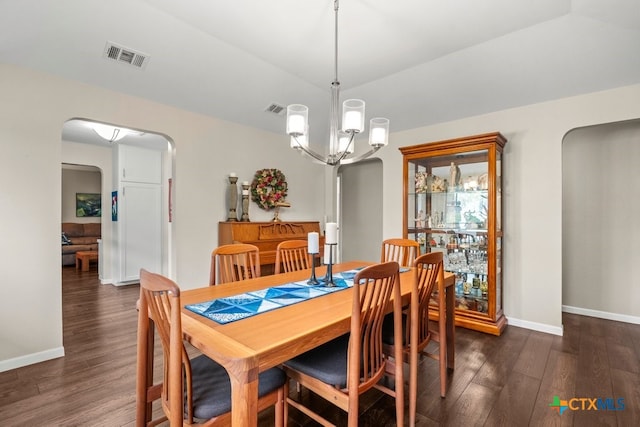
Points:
(416, 333)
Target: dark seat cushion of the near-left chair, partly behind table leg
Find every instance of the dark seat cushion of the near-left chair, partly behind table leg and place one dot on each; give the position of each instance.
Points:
(212, 387)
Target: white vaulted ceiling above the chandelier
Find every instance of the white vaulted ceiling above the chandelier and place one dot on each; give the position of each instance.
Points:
(416, 62)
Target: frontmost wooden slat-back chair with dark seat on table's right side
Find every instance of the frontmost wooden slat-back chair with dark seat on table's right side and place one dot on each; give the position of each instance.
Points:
(346, 367)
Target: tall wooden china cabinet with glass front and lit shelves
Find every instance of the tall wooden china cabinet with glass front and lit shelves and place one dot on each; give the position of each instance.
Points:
(453, 204)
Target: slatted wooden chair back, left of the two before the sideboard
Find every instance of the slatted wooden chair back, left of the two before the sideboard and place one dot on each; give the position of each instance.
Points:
(234, 262)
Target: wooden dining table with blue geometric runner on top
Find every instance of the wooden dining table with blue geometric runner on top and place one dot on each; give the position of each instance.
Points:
(249, 346)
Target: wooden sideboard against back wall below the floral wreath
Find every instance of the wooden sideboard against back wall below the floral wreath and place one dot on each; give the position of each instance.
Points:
(266, 236)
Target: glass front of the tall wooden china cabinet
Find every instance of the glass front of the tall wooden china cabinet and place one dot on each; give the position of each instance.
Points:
(449, 214)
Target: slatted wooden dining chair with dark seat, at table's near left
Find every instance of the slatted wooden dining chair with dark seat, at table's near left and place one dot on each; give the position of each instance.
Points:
(198, 389)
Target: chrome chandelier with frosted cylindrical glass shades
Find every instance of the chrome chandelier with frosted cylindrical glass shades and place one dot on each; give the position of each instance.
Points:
(341, 140)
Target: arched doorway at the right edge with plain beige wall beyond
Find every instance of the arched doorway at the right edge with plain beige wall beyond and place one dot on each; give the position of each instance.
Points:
(600, 208)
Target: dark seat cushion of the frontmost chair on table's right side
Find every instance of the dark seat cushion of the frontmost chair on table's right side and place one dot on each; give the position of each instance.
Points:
(328, 363)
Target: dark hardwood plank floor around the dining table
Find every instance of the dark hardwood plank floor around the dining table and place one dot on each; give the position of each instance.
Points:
(498, 381)
